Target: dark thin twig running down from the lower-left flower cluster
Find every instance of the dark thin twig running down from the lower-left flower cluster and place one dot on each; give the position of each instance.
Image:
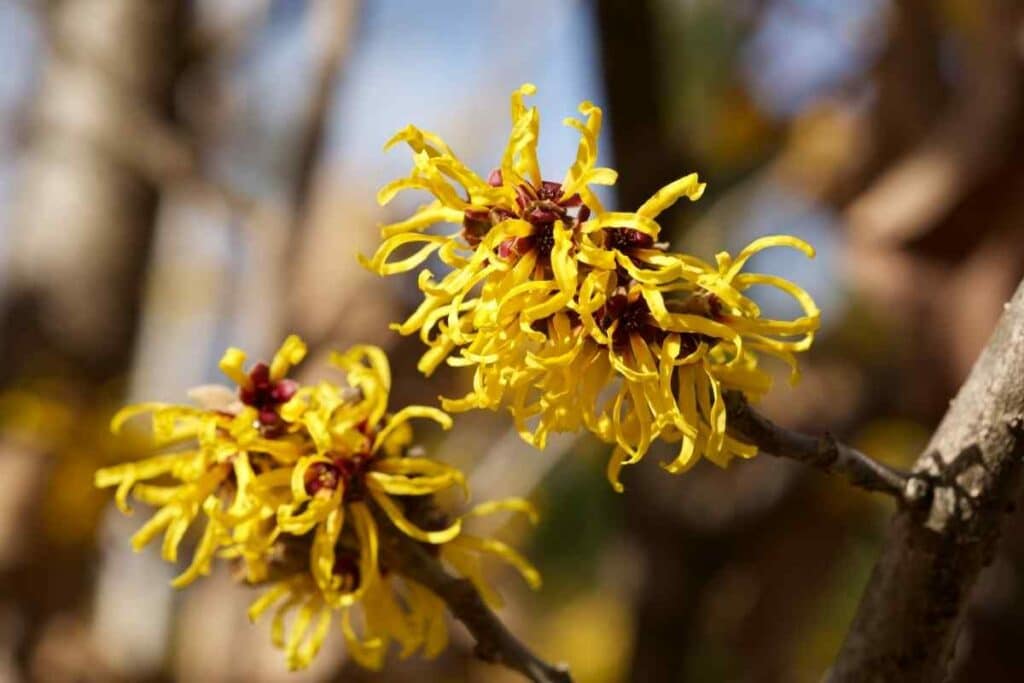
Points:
(494, 642)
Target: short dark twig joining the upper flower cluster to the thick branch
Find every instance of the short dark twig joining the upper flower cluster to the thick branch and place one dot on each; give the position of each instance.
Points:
(825, 453)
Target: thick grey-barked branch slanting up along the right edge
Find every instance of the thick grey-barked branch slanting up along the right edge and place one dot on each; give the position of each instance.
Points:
(913, 610)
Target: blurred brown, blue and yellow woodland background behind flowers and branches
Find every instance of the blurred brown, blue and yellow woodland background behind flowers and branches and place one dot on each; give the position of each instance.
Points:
(182, 176)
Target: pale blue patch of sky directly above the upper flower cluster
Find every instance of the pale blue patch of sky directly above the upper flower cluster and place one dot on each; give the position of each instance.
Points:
(449, 67)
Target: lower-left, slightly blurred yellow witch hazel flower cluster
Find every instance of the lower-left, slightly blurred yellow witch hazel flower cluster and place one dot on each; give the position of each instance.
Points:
(296, 485)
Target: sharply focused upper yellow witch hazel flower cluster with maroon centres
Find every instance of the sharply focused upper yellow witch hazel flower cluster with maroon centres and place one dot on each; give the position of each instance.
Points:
(574, 317)
